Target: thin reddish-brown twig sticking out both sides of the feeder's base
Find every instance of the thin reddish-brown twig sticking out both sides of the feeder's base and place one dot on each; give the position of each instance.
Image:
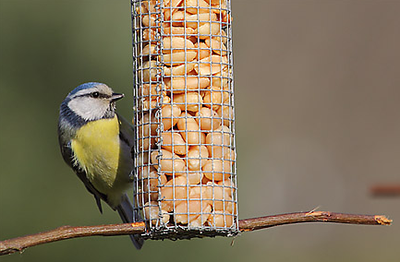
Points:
(67, 232)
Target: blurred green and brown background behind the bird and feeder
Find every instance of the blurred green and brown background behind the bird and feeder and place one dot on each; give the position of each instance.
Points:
(317, 95)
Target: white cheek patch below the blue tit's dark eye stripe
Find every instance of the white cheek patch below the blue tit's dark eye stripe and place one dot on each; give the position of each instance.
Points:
(88, 108)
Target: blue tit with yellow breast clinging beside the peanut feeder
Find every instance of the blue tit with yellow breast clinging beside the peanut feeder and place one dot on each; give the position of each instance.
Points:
(97, 144)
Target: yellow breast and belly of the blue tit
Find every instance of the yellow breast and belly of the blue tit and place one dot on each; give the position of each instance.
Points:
(96, 149)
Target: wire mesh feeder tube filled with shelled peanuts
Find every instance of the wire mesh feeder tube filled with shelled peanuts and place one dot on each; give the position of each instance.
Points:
(185, 158)
